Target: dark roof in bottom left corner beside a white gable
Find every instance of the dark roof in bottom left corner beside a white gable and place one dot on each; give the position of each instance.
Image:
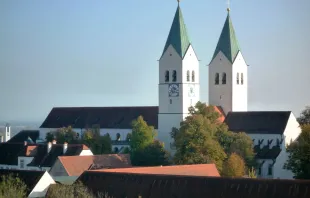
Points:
(29, 177)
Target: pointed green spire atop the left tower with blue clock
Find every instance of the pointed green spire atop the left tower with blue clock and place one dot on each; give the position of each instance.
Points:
(178, 36)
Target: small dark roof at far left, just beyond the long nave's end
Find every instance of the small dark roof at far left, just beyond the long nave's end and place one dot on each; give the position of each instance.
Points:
(25, 135)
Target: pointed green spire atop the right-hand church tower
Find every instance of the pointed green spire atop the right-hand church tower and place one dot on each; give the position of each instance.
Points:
(227, 43)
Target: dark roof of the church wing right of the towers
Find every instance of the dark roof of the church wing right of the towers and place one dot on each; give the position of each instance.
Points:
(258, 122)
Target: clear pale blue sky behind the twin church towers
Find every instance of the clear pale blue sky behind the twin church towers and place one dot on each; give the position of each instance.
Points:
(104, 53)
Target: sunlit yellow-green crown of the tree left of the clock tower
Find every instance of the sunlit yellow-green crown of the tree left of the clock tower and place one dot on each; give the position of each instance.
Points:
(142, 134)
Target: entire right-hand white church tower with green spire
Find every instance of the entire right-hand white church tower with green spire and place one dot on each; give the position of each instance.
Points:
(228, 72)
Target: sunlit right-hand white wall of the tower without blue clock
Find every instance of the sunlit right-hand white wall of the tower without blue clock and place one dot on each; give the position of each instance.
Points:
(239, 91)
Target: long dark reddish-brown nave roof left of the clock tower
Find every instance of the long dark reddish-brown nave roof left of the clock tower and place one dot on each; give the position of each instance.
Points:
(106, 117)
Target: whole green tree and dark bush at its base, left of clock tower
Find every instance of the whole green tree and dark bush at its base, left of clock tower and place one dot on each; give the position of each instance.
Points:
(144, 150)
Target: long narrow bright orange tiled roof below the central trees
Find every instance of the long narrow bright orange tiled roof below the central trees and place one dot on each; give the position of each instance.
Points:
(194, 170)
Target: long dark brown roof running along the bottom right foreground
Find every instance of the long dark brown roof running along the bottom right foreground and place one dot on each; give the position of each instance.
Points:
(154, 186)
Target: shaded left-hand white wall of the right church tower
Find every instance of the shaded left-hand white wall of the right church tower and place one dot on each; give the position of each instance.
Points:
(221, 94)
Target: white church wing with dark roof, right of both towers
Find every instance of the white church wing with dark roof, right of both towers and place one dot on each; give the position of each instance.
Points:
(271, 132)
